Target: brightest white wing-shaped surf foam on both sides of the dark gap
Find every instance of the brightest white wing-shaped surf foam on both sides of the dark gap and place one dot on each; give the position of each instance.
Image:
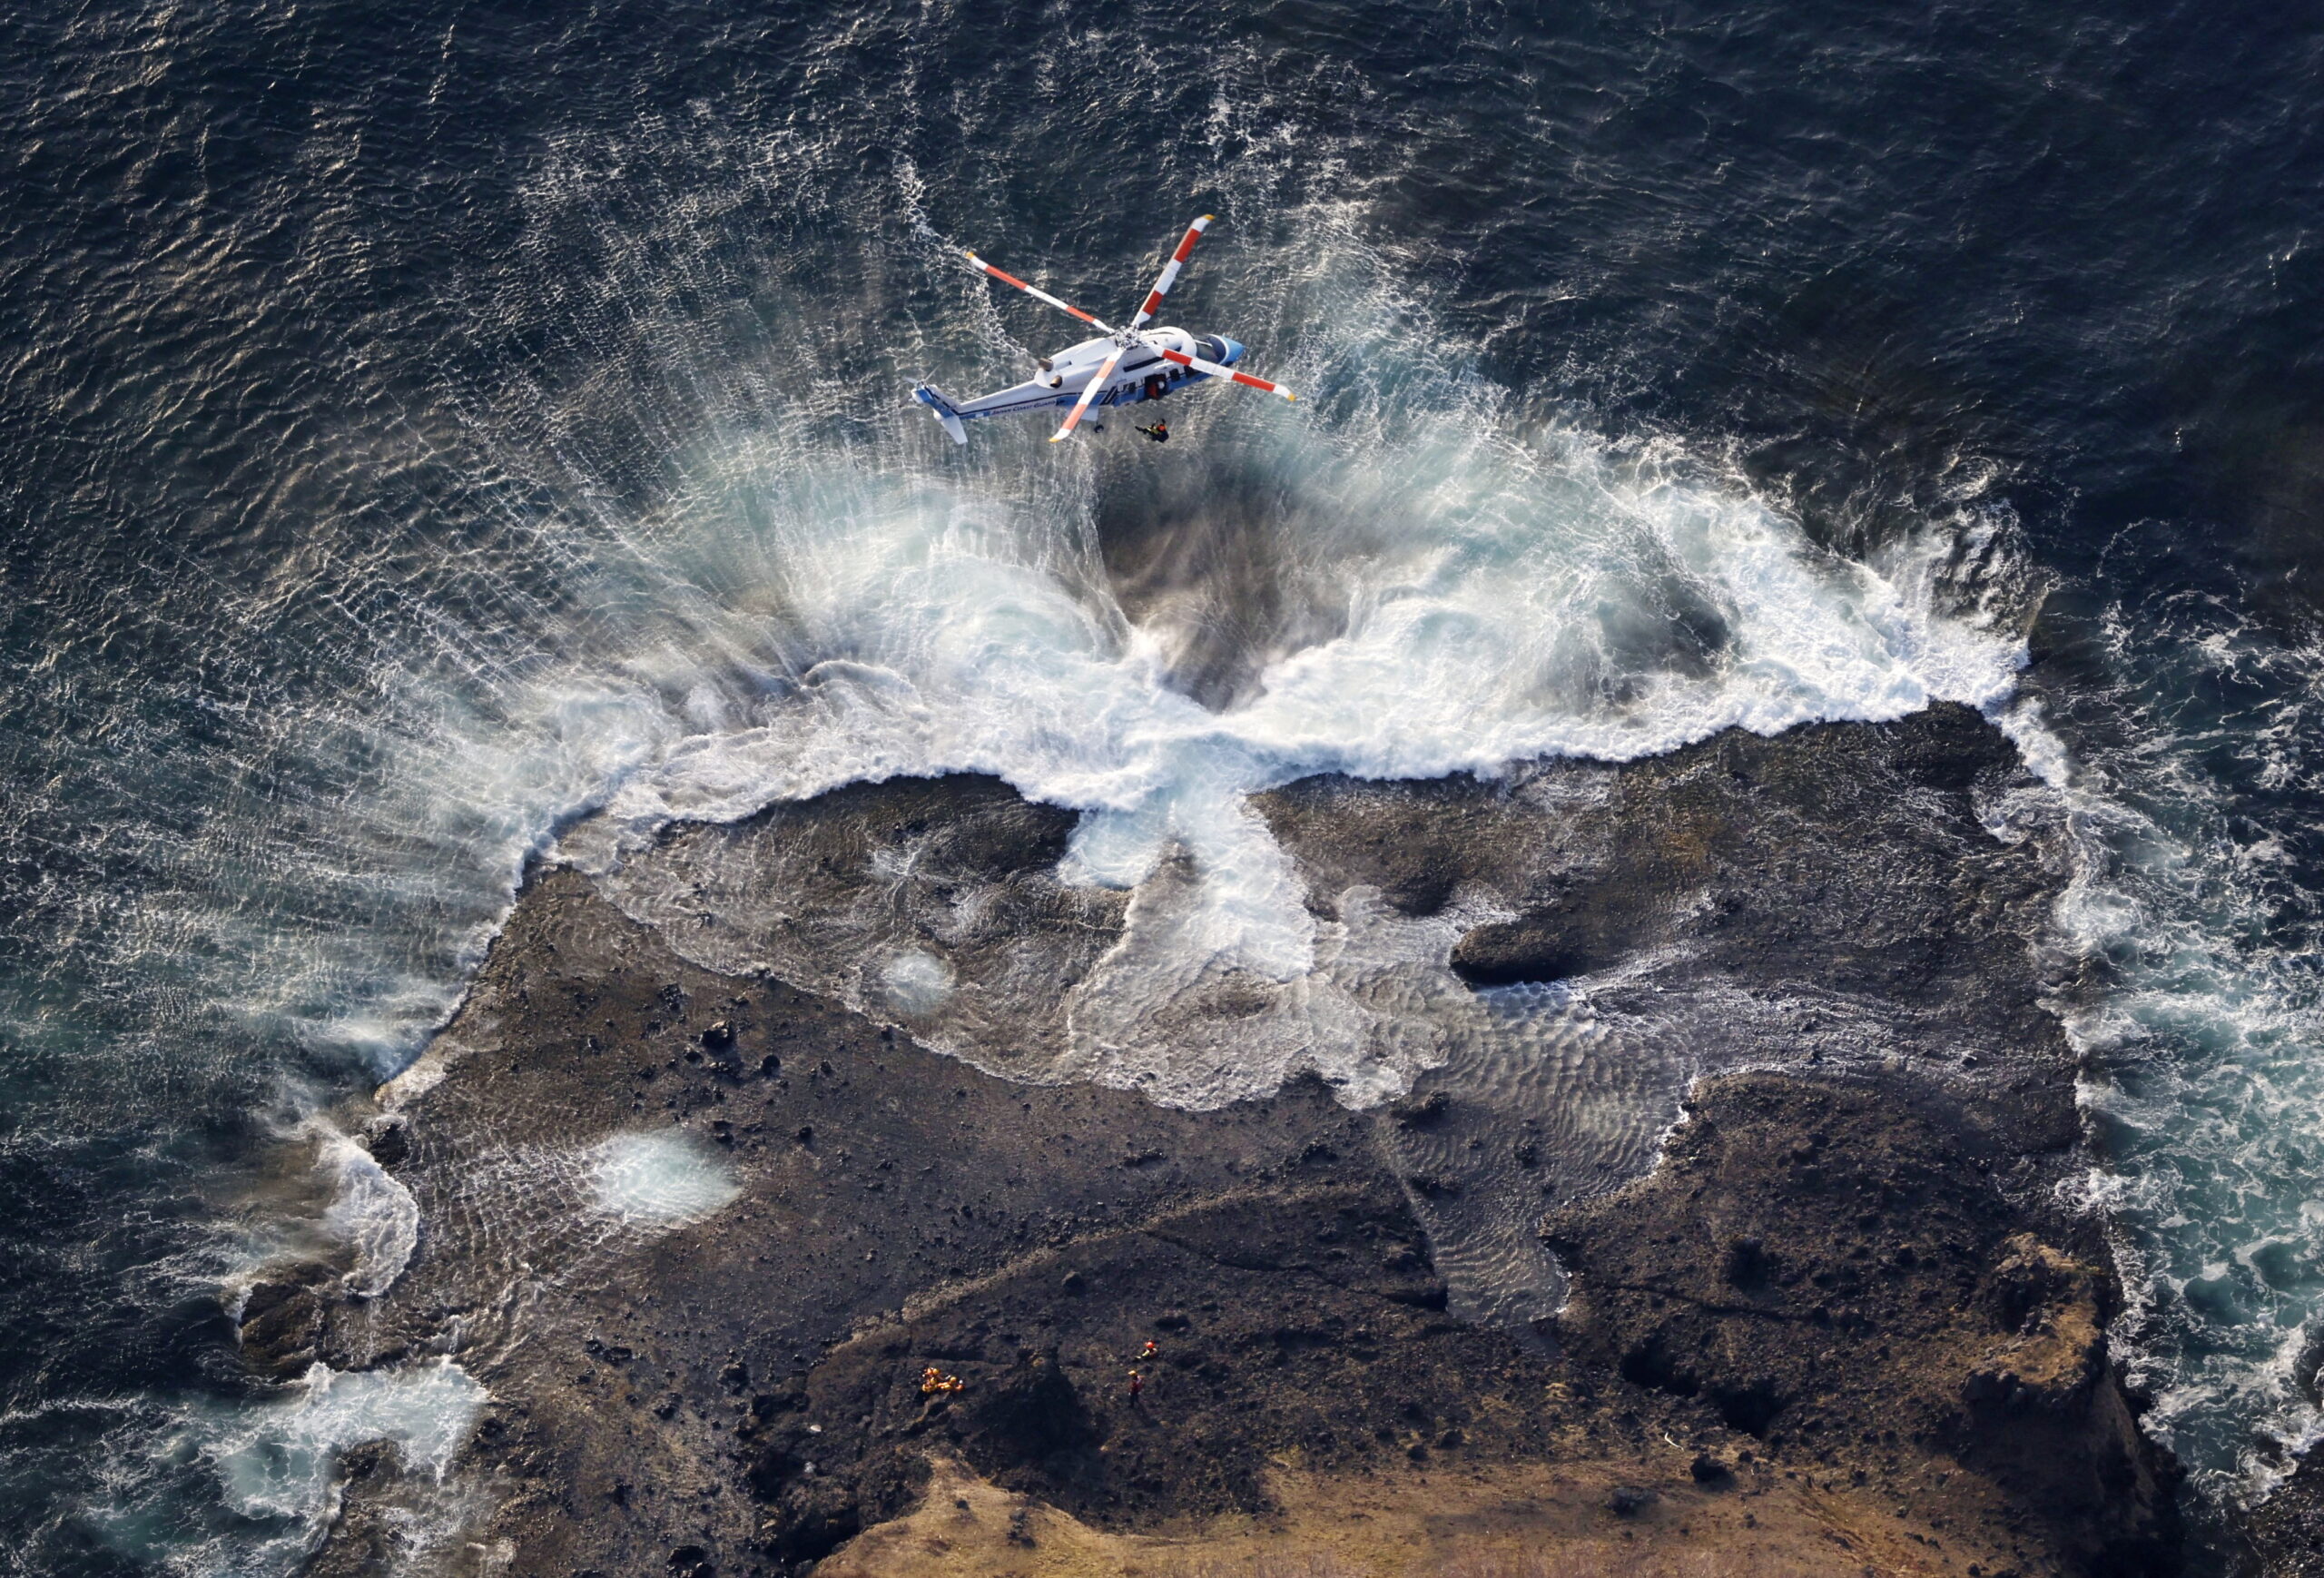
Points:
(1509, 596)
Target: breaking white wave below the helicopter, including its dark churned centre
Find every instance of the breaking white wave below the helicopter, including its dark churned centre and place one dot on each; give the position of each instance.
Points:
(1454, 589)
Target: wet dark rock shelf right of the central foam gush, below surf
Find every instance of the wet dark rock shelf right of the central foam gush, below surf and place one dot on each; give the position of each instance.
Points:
(1835, 859)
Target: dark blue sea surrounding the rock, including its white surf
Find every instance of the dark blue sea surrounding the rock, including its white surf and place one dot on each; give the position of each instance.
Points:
(424, 424)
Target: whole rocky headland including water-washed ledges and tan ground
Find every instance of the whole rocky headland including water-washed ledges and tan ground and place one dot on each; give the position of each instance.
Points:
(1719, 1214)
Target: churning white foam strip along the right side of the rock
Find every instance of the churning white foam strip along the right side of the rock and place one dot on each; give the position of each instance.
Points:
(2202, 1052)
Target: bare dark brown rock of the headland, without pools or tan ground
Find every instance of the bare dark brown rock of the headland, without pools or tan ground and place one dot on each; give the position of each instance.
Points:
(1751, 1298)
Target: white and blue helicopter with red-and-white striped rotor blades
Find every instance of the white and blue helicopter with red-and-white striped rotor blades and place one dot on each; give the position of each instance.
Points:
(1124, 366)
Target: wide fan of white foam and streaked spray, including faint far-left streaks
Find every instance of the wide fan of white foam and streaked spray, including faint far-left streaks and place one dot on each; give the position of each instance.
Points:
(768, 587)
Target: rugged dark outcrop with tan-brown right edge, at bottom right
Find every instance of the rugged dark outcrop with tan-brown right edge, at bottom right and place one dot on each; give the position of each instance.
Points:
(1839, 1272)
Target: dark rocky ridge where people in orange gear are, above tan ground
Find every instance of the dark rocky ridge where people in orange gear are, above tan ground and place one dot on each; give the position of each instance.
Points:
(1147, 1379)
